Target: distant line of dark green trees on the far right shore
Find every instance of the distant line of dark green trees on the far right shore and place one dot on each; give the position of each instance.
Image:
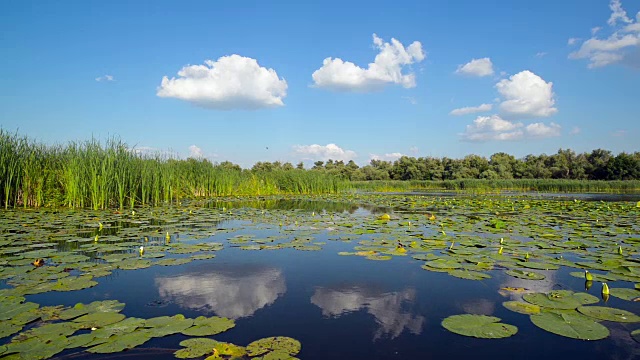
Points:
(599, 164)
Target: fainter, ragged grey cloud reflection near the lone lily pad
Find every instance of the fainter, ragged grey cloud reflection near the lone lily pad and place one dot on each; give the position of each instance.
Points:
(387, 308)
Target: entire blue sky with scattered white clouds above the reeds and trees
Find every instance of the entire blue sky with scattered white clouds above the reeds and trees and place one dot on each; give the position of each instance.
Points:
(250, 81)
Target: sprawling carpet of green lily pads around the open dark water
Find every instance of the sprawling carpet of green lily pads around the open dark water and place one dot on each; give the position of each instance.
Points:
(465, 237)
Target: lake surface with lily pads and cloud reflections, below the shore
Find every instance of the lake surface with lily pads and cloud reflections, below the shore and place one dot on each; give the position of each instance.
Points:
(334, 274)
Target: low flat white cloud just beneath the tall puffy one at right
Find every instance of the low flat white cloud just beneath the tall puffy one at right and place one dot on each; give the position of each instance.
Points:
(495, 128)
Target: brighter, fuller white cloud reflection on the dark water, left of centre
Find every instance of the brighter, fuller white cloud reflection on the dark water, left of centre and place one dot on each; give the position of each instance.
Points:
(233, 292)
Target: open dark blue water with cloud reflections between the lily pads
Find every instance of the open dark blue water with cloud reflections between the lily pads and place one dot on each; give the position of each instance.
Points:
(341, 307)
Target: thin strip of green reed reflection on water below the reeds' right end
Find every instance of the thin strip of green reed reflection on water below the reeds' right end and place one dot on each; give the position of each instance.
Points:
(295, 204)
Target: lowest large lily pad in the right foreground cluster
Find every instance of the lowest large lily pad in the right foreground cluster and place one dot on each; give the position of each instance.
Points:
(568, 325)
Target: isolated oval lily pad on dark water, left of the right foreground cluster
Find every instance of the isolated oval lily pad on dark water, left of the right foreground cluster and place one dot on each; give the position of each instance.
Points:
(480, 326)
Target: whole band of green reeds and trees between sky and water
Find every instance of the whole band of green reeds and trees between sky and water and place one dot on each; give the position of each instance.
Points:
(100, 175)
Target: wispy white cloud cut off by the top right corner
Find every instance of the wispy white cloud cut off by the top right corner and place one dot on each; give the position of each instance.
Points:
(623, 40)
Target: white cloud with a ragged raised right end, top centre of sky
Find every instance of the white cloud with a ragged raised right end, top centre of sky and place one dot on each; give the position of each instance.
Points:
(337, 74)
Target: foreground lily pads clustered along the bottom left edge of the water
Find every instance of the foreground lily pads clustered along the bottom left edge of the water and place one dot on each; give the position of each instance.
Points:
(99, 327)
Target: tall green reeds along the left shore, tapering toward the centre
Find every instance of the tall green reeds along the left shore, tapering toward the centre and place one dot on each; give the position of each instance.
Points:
(111, 175)
